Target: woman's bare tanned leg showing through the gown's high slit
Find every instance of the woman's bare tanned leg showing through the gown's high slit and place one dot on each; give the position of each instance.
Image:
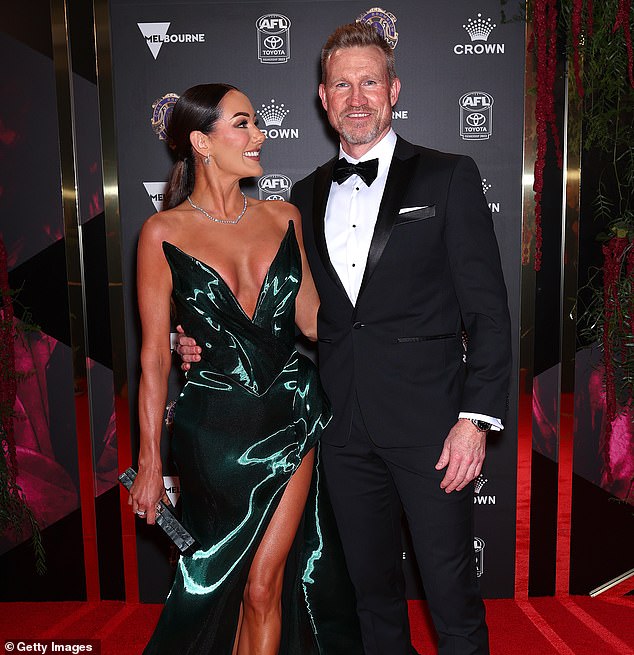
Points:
(262, 601)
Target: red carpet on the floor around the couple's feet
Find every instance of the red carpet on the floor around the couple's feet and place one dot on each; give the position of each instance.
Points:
(576, 625)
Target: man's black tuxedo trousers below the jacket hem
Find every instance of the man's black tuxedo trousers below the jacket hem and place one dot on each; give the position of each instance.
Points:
(369, 488)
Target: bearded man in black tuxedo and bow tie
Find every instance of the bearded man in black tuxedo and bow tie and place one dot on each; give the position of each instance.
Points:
(405, 260)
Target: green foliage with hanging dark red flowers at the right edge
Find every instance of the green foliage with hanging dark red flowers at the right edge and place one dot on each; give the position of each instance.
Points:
(608, 126)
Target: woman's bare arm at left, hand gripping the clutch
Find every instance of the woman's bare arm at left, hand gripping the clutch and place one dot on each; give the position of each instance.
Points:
(154, 288)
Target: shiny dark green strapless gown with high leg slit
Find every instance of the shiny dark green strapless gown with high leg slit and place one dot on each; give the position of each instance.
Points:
(248, 413)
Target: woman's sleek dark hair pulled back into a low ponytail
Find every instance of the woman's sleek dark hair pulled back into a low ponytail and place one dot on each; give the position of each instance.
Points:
(197, 109)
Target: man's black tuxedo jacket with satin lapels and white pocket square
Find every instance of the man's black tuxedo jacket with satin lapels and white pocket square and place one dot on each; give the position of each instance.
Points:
(430, 274)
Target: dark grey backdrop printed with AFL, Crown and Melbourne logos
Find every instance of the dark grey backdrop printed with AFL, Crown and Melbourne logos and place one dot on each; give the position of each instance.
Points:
(462, 74)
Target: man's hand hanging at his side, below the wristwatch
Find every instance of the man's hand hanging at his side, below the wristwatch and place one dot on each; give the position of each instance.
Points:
(463, 452)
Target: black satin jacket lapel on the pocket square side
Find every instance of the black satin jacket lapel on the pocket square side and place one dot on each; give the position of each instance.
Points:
(398, 179)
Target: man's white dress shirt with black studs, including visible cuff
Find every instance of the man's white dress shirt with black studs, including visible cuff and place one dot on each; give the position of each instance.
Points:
(351, 214)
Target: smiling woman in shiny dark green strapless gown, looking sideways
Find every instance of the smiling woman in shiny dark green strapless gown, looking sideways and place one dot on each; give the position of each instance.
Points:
(268, 577)
